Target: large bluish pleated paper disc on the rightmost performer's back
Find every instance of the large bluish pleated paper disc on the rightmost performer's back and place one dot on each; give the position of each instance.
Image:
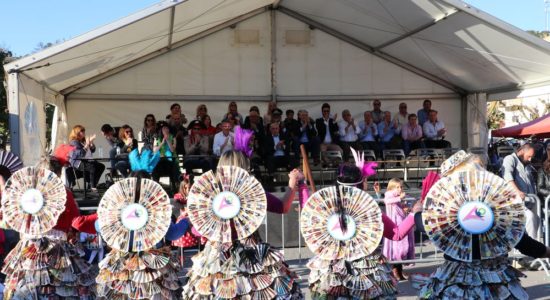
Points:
(473, 203)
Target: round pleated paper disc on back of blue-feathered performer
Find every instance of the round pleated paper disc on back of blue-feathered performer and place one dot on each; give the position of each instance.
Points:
(134, 219)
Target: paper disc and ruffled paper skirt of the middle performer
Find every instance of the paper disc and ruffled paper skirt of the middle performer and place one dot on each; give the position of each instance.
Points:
(227, 207)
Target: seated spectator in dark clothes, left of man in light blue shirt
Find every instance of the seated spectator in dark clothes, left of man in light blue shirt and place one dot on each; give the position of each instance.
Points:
(196, 149)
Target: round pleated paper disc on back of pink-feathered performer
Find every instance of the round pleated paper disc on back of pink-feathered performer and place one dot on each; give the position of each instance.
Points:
(324, 232)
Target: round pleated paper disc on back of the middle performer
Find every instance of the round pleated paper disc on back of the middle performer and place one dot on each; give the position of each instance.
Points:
(229, 196)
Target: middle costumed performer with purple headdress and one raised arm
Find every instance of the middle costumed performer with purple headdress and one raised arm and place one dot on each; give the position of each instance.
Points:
(239, 266)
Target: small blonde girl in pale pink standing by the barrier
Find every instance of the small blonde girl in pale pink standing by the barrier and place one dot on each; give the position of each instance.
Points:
(402, 249)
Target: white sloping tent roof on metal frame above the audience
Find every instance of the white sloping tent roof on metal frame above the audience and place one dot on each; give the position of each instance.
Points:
(446, 41)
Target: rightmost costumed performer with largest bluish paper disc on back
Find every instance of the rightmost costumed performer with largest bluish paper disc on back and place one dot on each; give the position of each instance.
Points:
(480, 270)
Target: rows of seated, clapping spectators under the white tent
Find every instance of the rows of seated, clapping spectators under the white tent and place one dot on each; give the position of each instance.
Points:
(276, 139)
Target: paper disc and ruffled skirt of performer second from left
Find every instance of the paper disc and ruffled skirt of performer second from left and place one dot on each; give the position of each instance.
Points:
(134, 215)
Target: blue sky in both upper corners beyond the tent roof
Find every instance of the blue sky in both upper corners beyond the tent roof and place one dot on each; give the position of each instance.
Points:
(26, 23)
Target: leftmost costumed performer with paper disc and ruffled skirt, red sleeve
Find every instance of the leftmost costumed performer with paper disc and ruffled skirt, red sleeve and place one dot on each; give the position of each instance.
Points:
(44, 264)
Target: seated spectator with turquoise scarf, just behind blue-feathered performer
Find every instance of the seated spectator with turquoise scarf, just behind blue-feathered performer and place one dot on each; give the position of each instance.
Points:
(168, 164)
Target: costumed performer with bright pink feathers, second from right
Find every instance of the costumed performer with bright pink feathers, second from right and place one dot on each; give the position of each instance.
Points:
(343, 226)
